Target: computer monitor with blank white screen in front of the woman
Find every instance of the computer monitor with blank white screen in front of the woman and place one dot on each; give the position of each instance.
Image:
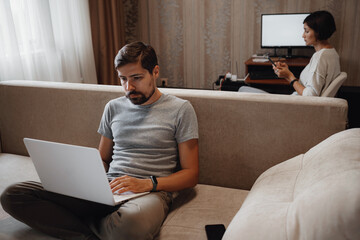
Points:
(283, 30)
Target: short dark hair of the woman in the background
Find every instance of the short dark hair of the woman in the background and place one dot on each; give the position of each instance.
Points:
(323, 24)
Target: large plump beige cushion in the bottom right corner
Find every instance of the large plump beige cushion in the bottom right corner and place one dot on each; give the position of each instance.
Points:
(315, 195)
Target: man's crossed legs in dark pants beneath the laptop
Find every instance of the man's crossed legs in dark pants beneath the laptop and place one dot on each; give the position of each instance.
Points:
(71, 218)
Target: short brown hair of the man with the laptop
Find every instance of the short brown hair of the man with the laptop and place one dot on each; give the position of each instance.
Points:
(137, 52)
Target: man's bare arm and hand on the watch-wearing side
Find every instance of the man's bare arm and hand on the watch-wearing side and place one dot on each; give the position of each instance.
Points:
(187, 177)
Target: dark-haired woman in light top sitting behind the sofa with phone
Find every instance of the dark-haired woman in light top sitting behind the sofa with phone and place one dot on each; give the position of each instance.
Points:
(324, 65)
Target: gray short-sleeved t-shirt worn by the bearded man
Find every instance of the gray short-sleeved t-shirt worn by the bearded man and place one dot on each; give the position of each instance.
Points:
(146, 137)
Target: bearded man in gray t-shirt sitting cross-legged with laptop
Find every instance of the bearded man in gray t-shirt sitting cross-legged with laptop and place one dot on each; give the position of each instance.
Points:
(146, 136)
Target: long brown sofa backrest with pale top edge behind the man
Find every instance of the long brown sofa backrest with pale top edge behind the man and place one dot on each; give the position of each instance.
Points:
(240, 134)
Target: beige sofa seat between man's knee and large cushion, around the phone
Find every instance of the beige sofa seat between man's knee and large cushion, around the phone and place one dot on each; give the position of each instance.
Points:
(197, 207)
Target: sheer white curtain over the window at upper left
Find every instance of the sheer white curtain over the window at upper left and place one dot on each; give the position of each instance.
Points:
(46, 40)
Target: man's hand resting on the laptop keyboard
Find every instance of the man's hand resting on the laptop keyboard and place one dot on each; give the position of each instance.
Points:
(126, 183)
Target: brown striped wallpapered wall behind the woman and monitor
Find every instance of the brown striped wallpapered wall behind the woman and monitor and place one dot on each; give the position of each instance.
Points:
(197, 40)
